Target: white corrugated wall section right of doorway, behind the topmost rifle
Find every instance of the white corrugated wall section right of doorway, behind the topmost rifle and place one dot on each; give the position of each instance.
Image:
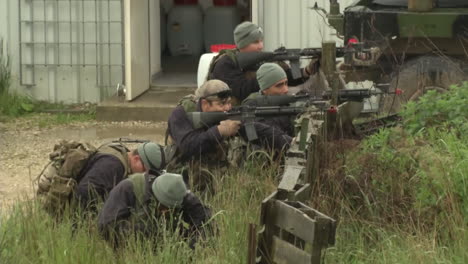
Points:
(293, 24)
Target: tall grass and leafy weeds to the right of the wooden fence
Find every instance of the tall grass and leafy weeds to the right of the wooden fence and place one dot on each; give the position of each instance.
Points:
(401, 196)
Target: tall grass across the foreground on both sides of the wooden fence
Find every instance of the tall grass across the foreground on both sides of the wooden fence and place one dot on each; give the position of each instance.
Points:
(385, 217)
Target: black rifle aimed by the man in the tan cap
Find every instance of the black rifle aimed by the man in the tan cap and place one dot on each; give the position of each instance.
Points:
(247, 114)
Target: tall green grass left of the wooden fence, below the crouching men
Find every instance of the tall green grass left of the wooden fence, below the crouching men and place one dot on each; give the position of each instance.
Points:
(28, 235)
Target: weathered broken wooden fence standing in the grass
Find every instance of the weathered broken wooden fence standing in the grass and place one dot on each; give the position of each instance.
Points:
(289, 230)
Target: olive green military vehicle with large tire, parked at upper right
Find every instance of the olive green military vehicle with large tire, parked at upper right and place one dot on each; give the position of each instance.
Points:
(414, 45)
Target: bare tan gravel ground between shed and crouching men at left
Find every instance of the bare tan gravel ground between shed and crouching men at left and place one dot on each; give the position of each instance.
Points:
(24, 147)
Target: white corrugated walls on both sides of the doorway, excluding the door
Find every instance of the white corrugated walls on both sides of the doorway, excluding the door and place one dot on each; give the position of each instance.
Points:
(71, 50)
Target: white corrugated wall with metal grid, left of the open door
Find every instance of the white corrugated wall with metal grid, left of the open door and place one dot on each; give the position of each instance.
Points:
(67, 50)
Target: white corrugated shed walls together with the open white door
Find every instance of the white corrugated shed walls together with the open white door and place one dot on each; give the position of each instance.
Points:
(75, 51)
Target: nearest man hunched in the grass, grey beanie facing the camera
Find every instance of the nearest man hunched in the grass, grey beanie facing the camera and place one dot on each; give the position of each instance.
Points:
(139, 204)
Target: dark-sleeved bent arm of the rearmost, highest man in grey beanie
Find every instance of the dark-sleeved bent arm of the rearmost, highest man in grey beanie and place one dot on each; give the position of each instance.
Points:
(226, 70)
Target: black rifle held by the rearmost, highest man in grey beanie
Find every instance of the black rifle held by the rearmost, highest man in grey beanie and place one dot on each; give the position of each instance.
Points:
(251, 59)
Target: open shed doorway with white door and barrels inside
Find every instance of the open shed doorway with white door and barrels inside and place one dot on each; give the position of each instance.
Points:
(165, 39)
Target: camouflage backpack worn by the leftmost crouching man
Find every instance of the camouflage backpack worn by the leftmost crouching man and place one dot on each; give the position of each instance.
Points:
(68, 159)
